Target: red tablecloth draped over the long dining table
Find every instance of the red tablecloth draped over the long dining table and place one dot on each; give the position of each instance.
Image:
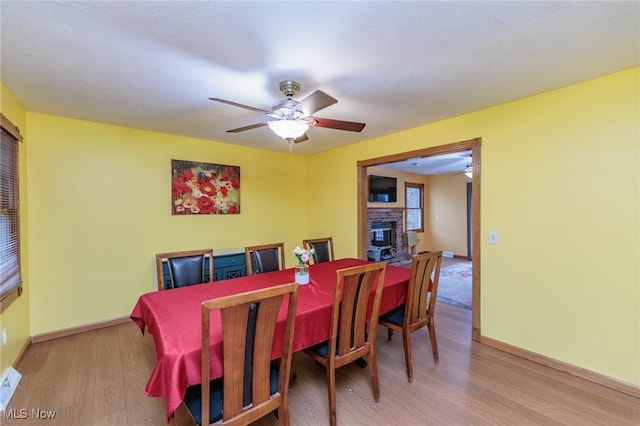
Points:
(173, 318)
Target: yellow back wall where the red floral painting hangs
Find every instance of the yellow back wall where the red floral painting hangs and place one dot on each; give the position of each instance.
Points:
(100, 208)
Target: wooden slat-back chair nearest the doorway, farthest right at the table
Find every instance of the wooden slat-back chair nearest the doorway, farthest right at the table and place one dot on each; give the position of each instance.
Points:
(419, 309)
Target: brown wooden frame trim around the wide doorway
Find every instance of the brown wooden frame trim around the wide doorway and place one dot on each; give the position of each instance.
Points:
(474, 209)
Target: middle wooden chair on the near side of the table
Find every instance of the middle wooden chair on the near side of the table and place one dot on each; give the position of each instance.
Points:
(349, 341)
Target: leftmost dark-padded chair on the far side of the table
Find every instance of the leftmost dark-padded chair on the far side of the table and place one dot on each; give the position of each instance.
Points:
(184, 268)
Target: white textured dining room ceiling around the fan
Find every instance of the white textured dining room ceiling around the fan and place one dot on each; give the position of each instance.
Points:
(392, 65)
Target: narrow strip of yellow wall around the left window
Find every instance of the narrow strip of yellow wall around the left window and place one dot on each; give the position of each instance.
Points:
(16, 318)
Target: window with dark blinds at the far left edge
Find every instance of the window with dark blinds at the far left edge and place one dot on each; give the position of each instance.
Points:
(10, 276)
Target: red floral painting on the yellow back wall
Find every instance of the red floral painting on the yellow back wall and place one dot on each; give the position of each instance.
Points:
(202, 188)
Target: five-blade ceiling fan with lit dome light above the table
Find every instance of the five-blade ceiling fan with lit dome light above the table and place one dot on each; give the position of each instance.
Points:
(293, 118)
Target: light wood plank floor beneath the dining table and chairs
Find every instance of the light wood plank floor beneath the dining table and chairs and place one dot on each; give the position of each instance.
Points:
(96, 378)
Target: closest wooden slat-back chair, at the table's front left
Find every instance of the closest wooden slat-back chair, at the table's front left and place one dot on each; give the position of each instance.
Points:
(251, 386)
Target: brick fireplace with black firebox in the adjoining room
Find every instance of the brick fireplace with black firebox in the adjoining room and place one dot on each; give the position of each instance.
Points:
(385, 234)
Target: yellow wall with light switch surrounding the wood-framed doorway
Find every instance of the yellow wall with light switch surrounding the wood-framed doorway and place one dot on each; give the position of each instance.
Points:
(560, 184)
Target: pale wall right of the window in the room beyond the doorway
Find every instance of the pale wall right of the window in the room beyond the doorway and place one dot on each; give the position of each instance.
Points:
(446, 213)
